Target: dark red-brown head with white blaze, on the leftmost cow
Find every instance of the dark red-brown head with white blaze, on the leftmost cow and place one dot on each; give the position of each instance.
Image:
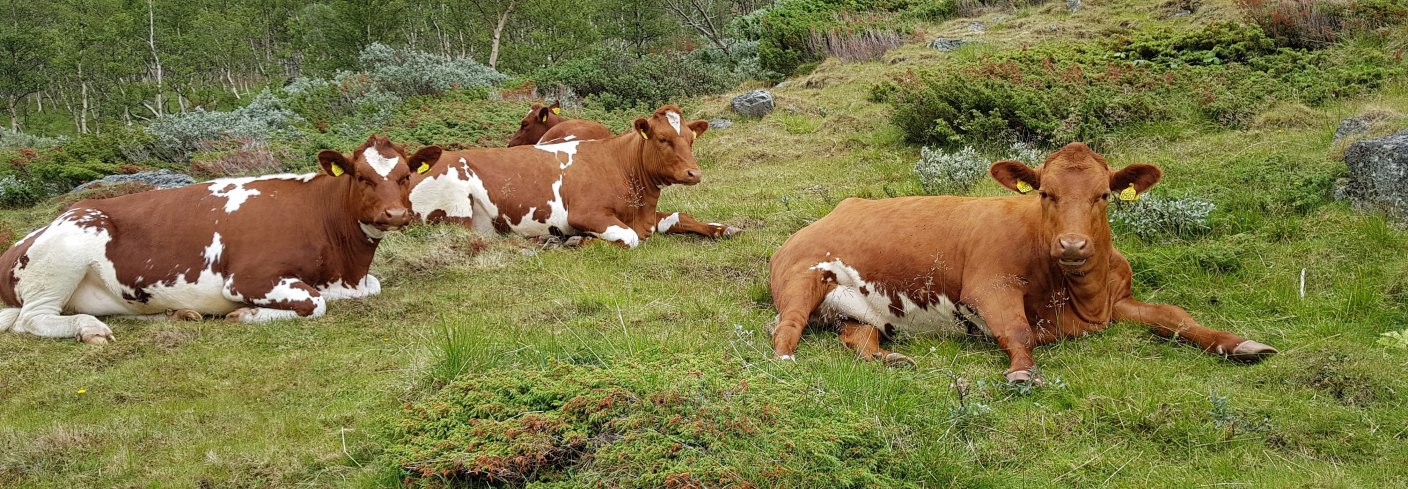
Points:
(379, 177)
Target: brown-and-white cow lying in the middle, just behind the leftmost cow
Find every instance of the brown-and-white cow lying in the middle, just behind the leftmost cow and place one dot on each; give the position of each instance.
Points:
(601, 190)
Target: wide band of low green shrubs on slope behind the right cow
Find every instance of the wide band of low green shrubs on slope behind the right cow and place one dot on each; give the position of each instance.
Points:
(1223, 74)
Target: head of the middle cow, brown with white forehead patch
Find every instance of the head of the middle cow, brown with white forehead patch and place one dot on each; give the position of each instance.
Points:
(670, 146)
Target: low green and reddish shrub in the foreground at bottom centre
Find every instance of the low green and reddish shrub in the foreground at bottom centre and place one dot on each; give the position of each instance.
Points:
(633, 425)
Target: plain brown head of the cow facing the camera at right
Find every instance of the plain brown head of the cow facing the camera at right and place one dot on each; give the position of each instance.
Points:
(1076, 185)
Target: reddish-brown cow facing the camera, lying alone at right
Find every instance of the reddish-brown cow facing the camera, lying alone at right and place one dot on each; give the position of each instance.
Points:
(1023, 270)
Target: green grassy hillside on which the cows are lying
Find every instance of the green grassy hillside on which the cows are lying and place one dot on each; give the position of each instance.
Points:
(653, 367)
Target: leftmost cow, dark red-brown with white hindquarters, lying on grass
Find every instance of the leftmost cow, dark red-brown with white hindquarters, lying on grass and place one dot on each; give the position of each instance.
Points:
(253, 249)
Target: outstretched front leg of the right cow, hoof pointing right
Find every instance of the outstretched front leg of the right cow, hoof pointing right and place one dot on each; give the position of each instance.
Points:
(1172, 322)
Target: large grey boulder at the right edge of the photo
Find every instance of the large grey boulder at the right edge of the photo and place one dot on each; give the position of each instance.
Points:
(1378, 171)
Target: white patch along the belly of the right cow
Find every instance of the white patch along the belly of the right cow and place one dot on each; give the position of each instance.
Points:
(874, 307)
